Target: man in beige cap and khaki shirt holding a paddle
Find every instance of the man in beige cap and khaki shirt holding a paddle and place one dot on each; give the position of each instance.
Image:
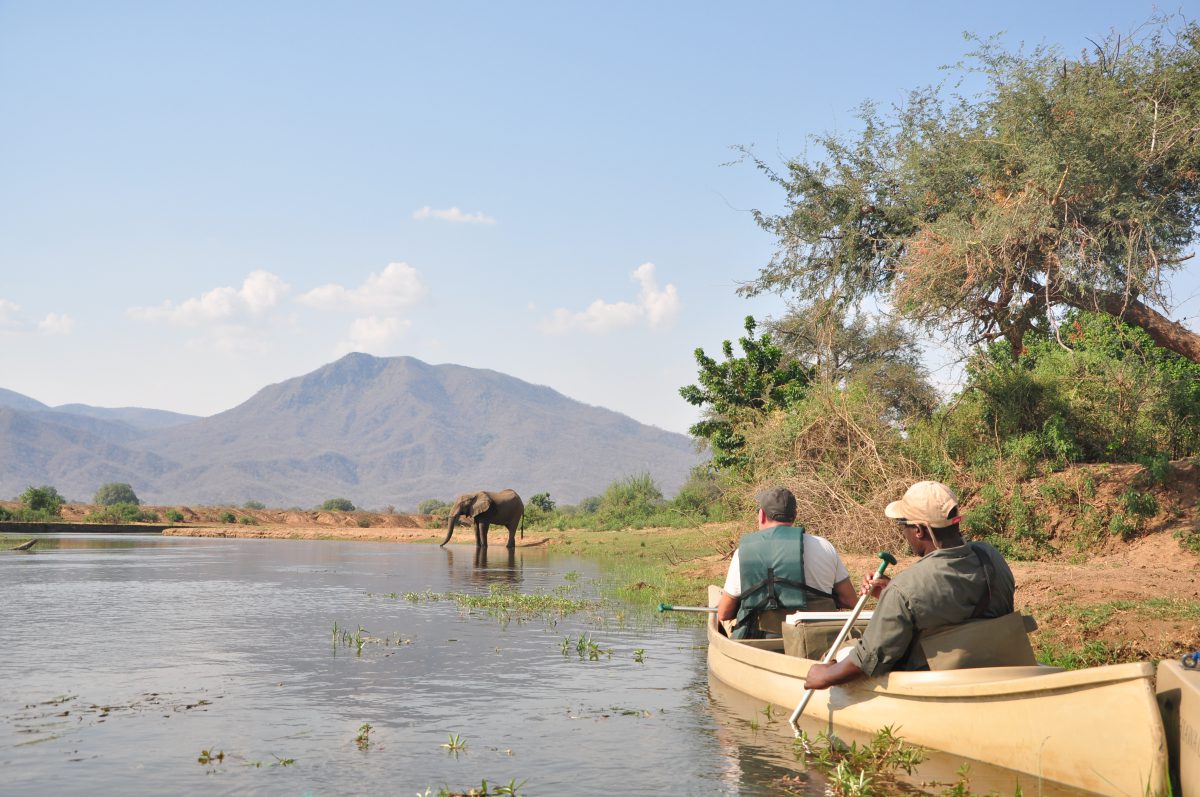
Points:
(953, 583)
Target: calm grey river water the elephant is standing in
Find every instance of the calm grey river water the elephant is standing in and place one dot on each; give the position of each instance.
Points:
(125, 658)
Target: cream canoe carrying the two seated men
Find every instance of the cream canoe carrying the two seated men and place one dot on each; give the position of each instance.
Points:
(1097, 729)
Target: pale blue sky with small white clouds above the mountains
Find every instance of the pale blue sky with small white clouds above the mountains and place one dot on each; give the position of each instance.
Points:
(199, 200)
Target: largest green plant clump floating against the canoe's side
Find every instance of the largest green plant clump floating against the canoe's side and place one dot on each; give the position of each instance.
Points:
(867, 770)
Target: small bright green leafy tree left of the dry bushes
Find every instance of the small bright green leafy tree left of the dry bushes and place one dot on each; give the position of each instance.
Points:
(742, 389)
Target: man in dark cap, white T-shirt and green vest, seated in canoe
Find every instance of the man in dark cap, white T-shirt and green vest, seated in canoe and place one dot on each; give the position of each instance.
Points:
(779, 570)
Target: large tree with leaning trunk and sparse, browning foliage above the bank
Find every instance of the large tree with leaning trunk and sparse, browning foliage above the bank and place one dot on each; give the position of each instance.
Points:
(1067, 183)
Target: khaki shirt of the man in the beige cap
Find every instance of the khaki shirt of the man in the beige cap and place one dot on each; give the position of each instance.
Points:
(940, 590)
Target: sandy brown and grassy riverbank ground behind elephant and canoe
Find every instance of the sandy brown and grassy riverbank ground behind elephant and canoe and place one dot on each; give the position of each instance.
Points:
(1130, 603)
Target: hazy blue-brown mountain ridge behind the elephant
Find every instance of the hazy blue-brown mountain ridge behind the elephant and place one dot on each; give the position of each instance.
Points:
(379, 432)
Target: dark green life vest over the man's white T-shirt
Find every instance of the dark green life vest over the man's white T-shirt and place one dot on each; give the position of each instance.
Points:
(772, 568)
